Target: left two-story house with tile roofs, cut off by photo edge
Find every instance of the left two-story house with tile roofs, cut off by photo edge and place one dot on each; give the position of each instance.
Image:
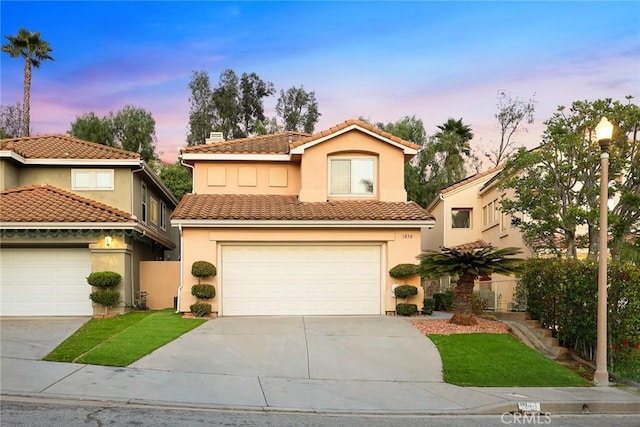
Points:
(69, 207)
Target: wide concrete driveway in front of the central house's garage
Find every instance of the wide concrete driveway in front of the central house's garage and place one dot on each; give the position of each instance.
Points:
(376, 348)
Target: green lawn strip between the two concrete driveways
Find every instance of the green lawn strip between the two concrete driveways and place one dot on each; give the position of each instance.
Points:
(121, 340)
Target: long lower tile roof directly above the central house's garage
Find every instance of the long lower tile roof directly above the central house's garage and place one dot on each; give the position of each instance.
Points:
(288, 208)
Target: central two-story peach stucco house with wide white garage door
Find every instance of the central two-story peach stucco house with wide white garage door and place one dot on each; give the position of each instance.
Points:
(300, 224)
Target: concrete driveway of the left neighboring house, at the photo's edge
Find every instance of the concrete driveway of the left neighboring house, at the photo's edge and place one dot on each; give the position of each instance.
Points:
(32, 338)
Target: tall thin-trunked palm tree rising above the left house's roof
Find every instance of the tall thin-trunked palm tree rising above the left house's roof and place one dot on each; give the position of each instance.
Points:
(34, 50)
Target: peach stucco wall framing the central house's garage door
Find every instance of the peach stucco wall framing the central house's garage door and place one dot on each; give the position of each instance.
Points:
(398, 246)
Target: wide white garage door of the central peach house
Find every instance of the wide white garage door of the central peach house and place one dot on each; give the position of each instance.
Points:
(300, 280)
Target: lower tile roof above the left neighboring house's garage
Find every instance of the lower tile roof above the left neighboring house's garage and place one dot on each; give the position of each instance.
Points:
(45, 203)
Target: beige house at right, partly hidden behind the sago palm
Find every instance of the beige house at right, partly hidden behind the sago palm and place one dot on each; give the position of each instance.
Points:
(469, 211)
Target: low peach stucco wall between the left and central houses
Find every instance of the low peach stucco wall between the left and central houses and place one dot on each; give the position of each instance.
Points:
(160, 279)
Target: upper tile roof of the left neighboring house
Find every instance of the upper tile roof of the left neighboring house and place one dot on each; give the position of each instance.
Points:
(63, 147)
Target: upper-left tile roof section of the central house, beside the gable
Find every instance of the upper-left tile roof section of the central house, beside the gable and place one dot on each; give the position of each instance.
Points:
(266, 144)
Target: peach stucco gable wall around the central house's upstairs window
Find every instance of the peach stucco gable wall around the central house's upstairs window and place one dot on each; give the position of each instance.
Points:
(389, 186)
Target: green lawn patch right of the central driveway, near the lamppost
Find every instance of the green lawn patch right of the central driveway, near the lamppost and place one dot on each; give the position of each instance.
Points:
(499, 360)
